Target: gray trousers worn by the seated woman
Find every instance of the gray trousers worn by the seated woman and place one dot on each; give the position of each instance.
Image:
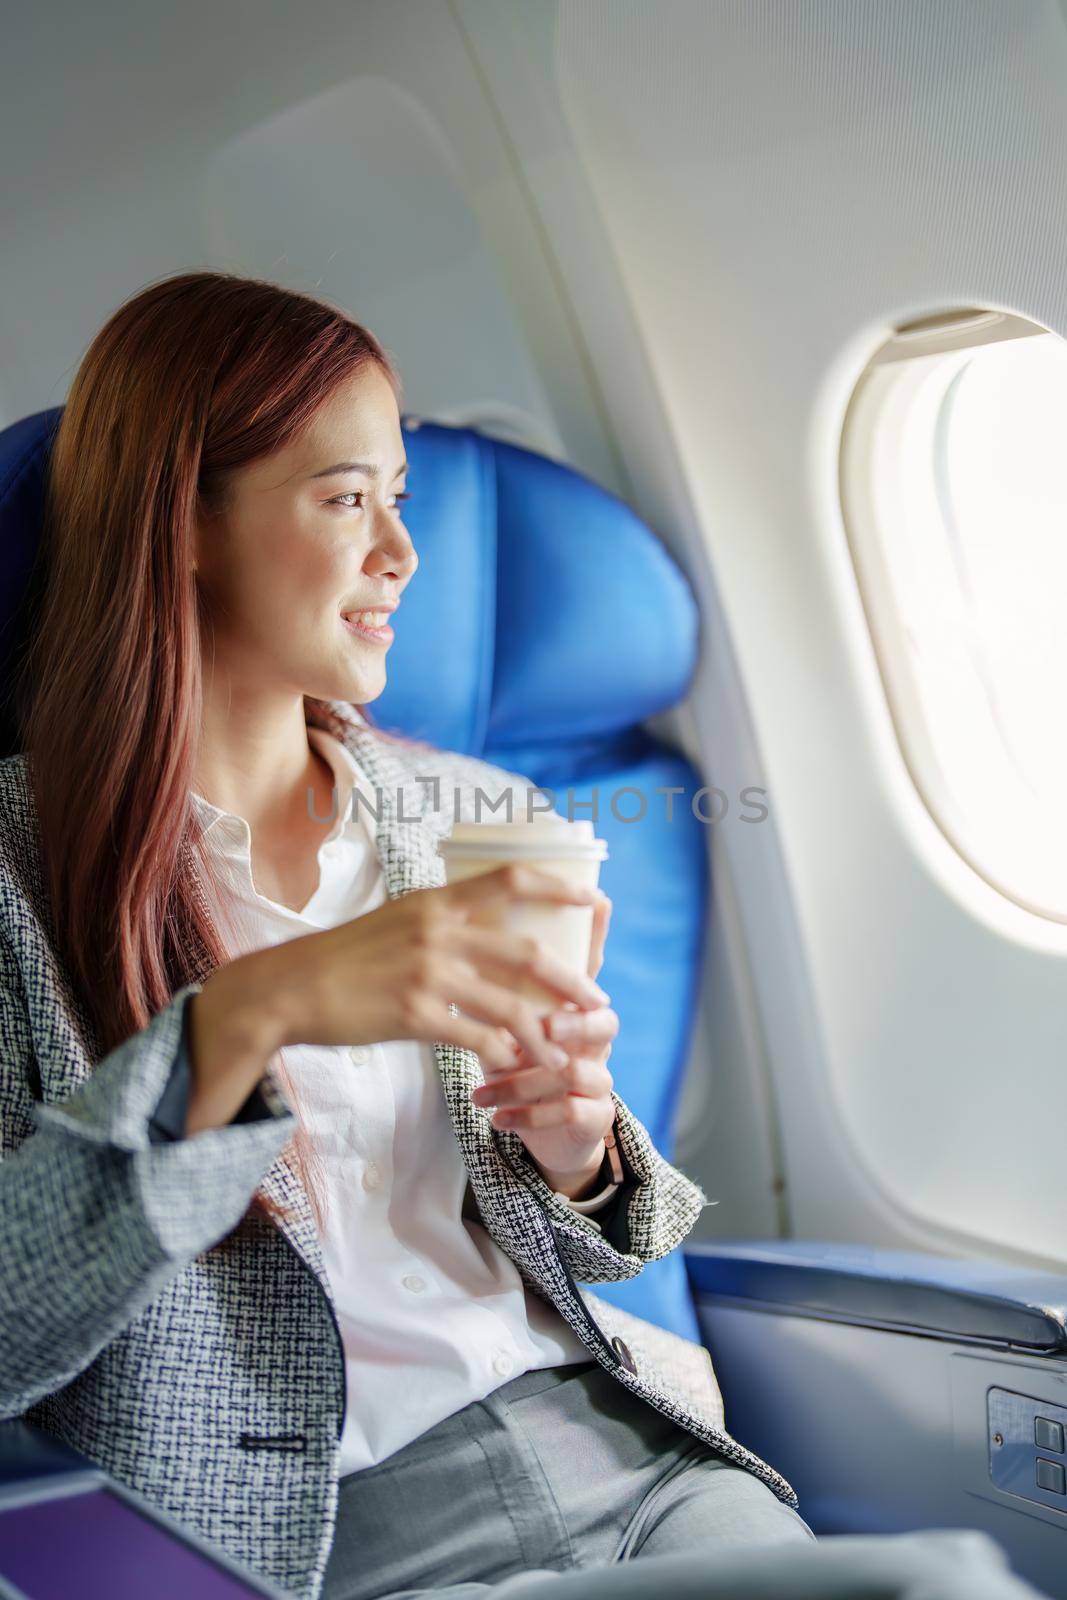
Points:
(545, 1487)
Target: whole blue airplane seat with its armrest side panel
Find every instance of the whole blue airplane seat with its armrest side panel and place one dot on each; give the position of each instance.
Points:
(895, 1390)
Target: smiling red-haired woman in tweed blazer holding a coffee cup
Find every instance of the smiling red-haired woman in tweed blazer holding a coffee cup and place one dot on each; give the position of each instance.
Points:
(250, 1162)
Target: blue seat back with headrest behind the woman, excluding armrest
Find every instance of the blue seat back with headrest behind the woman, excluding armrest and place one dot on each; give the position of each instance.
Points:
(545, 626)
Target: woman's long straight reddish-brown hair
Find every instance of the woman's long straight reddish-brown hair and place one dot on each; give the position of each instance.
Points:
(190, 380)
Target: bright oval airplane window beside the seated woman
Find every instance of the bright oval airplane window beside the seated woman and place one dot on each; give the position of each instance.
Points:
(954, 490)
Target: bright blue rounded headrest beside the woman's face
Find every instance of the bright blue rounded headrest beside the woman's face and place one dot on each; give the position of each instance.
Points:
(543, 610)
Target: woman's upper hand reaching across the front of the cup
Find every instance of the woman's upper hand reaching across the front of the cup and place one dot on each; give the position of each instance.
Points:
(401, 970)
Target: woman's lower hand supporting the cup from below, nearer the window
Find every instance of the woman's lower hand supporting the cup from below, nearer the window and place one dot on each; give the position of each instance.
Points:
(564, 1114)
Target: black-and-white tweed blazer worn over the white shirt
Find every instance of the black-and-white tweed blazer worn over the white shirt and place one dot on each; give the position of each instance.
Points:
(193, 1350)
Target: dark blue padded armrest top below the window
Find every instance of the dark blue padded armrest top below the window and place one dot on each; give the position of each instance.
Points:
(908, 1292)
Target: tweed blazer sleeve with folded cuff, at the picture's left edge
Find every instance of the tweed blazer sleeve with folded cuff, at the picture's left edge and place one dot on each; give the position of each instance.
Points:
(97, 1215)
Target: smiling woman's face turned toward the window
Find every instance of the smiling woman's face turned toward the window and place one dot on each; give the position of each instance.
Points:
(313, 537)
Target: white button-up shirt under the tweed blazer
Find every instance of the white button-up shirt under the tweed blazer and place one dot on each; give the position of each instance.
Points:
(433, 1313)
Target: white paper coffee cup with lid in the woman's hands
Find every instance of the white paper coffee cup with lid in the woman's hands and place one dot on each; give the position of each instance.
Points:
(551, 844)
